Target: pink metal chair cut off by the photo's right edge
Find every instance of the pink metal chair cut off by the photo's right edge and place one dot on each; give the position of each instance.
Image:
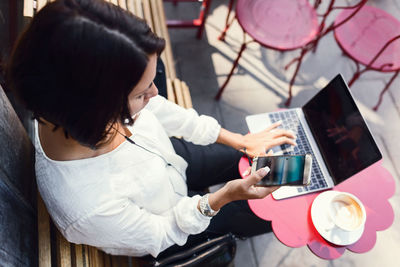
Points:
(372, 39)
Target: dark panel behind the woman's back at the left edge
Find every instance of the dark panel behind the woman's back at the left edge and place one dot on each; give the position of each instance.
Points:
(18, 216)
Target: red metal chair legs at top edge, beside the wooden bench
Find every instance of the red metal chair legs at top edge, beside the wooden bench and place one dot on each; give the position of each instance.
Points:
(195, 23)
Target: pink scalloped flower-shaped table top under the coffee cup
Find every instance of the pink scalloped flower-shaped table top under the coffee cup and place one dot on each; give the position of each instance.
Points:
(291, 218)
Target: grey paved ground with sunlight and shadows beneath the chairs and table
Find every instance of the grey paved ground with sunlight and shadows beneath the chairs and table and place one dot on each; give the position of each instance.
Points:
(260, 85)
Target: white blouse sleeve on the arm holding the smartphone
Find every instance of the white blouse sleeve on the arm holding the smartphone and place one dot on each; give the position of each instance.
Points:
(125, 226)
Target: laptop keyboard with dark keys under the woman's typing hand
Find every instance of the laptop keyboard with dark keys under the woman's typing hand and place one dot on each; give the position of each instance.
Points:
(290, 121)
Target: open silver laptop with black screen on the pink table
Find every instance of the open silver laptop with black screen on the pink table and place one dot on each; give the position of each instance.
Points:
(332, 129)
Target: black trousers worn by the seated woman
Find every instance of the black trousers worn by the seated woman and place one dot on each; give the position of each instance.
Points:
(211, 165)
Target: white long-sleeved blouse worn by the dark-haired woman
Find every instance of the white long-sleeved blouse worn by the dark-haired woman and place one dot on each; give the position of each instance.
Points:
(130, 201)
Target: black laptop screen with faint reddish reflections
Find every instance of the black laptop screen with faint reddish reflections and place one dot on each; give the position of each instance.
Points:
(344, 140)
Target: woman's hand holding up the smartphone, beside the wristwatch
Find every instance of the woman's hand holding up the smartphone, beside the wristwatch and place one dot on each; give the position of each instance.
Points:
(241, 189)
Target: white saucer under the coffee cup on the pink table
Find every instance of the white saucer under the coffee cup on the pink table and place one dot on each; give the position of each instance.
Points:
(320, 219)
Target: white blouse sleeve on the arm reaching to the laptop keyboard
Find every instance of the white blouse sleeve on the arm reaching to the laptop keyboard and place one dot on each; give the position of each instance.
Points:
(178, 121)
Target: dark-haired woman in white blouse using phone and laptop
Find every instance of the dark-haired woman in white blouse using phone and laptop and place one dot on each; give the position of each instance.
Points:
(106, 167)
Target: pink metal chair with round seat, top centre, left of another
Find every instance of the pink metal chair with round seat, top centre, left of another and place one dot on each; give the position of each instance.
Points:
(283, 25)
